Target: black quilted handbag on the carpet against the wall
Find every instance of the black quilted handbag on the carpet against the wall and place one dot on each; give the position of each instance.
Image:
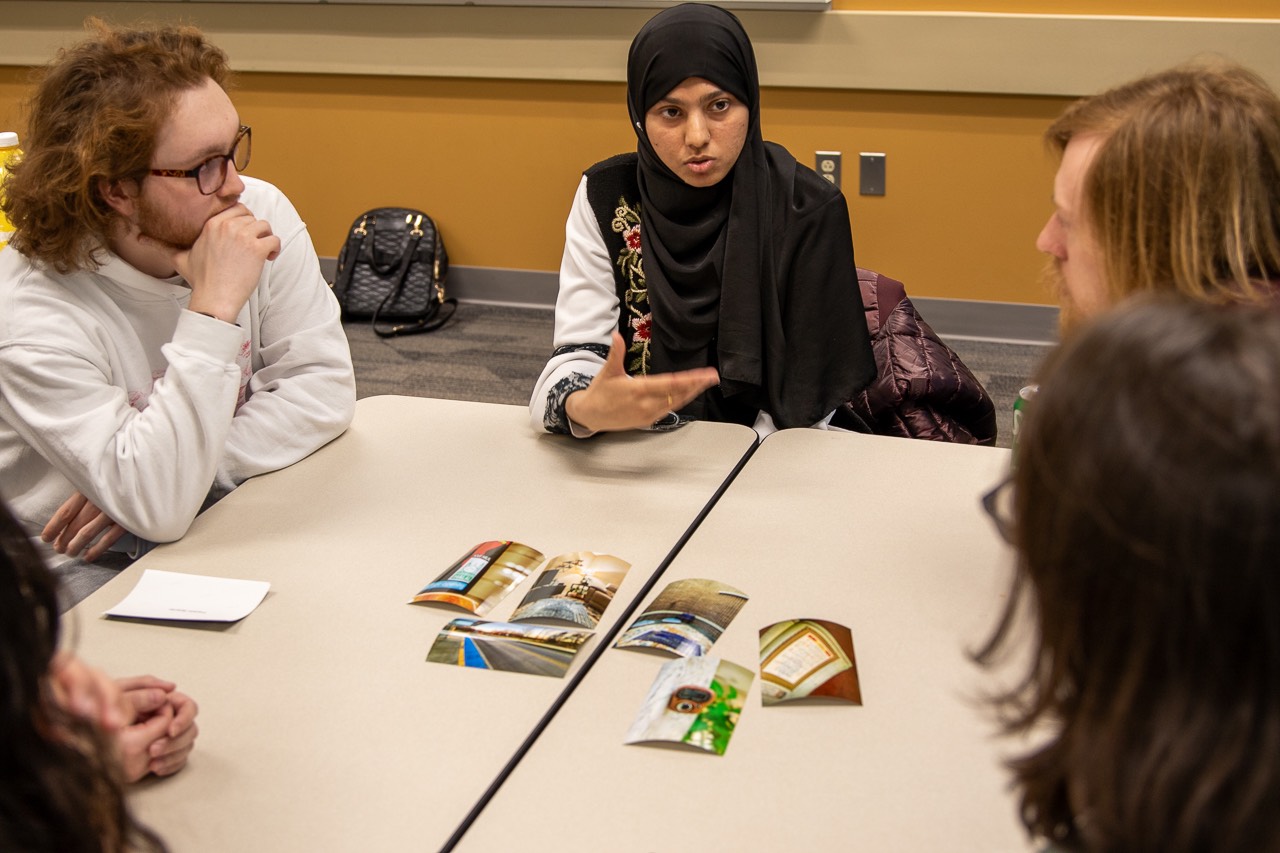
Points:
(392, 272)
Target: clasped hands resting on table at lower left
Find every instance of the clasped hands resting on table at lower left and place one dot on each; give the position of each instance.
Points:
(153, 724)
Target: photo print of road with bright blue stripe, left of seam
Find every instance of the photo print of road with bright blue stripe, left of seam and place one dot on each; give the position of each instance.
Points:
(537, 650)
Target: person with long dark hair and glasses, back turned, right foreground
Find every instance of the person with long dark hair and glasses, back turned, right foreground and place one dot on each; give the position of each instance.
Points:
(1145, 512)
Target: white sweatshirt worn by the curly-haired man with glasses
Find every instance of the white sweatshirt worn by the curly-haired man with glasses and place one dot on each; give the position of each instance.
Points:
(111, 387)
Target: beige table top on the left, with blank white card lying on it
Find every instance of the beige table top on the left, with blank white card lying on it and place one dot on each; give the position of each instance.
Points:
(323, 728)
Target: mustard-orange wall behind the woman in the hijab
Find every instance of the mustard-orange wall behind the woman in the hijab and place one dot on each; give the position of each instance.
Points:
(497, 161)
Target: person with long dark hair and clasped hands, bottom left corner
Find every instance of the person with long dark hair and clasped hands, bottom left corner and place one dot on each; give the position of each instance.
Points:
(70, 737)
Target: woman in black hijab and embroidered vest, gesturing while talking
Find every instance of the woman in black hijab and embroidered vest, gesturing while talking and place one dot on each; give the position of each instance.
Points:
(708, 276)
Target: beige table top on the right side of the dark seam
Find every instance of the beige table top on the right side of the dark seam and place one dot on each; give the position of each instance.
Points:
(881, 535)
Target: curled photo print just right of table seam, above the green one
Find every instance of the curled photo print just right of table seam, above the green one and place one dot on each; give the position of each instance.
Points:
(685, 619)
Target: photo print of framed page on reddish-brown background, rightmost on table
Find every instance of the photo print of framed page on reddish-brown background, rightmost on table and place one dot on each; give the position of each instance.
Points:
(808, 658)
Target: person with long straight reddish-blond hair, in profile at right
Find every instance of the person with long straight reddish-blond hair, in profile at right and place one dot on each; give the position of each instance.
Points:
(1168, 184)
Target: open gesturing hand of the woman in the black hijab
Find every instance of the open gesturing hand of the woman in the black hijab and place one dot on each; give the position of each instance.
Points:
(616, 402)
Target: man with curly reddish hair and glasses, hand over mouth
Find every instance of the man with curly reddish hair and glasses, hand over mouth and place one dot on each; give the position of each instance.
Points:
(166, 332)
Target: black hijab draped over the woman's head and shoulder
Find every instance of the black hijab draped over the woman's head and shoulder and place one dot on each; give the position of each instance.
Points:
(712, 254)
